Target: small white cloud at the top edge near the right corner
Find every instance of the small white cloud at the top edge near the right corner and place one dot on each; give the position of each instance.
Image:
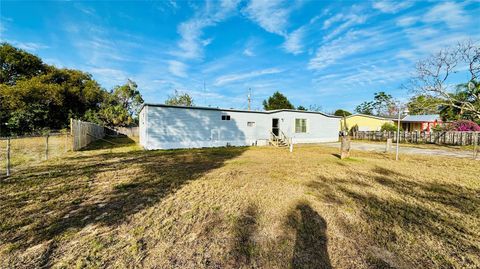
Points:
(450, 13)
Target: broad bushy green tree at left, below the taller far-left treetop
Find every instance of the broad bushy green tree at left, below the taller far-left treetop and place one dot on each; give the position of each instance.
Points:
(48, 100)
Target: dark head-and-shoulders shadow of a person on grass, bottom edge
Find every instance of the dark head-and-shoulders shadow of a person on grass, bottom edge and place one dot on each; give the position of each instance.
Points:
(310, 250)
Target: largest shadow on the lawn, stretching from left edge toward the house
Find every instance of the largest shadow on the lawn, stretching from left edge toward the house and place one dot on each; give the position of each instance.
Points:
(96, 188)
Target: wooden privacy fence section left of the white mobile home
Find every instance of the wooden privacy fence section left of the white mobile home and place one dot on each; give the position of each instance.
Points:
(84, 133)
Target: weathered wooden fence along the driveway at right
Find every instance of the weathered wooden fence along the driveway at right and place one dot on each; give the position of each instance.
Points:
(446, 138)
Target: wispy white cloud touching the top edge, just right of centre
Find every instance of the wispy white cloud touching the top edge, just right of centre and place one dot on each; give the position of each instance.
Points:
(271, 15)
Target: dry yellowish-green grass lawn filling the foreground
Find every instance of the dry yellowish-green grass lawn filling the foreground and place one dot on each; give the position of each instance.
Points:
(241, 208)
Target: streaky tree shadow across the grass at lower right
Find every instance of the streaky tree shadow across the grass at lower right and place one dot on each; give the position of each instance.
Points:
(407, 205)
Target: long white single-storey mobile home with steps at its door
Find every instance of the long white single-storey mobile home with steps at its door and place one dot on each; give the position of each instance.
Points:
(170, 127)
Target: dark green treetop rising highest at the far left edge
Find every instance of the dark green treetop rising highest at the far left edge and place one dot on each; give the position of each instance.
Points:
(18, 64)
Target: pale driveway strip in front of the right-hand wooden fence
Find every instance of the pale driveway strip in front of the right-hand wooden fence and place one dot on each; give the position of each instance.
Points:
(407, 150)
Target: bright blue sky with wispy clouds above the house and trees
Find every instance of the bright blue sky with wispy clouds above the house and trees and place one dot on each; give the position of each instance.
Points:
(330, 54)
